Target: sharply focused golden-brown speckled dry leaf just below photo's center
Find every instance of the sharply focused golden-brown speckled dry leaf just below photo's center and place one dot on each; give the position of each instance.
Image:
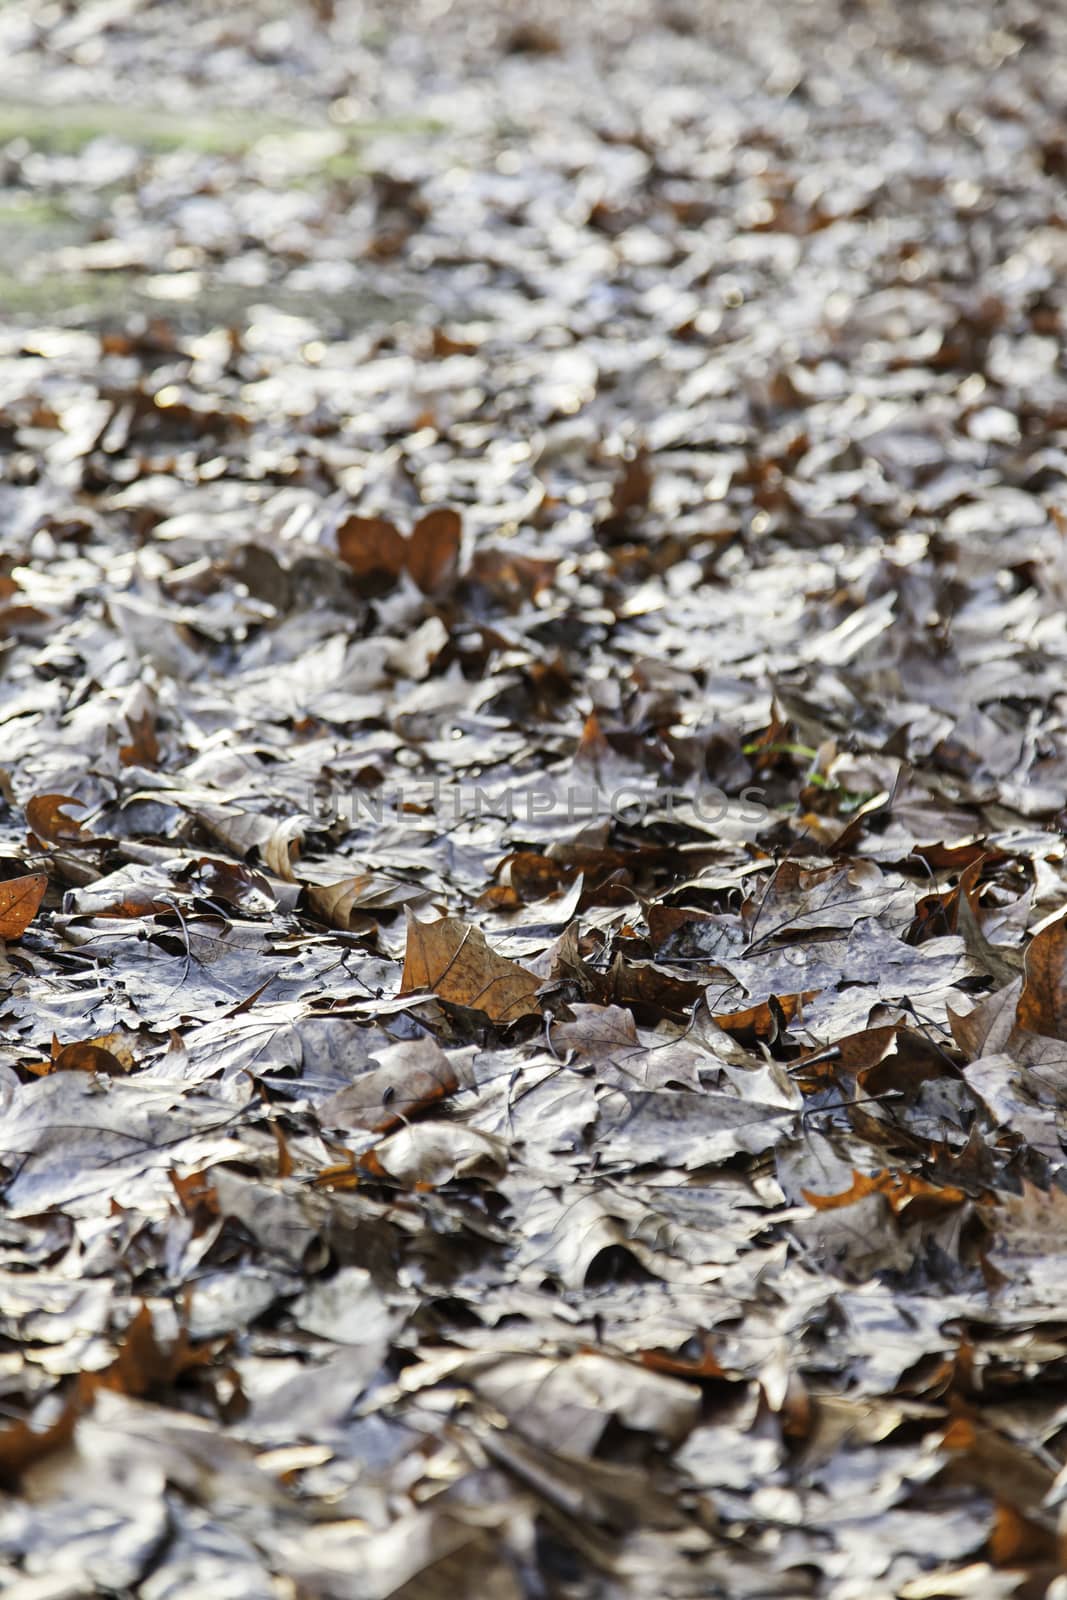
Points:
(455, 961)
